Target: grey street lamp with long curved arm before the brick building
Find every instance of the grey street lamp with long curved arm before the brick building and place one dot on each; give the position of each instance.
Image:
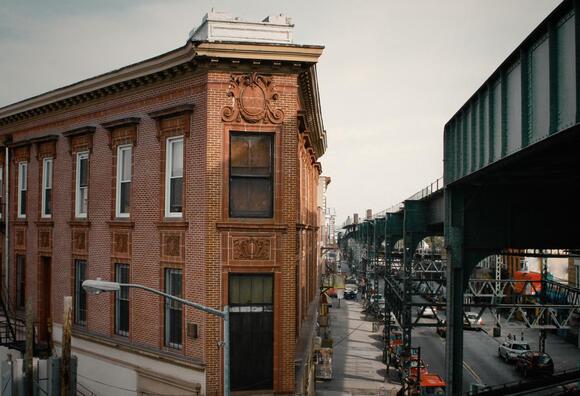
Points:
(98, 286)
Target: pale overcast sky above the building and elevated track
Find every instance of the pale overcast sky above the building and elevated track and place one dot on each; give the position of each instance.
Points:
(393, 71)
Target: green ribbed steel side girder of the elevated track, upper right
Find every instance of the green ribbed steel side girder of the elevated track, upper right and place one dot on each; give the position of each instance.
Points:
(531, 97)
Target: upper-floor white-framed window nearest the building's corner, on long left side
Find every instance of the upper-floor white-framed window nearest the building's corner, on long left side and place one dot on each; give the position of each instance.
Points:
(174, 178)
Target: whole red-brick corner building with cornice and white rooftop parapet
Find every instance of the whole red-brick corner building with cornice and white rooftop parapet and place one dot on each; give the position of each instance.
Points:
(195, 172)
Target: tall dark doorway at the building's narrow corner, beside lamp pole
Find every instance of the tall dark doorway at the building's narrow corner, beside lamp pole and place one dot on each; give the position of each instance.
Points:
(251, 332)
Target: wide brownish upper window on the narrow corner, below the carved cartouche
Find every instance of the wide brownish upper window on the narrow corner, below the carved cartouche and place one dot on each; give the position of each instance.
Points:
(251, 180)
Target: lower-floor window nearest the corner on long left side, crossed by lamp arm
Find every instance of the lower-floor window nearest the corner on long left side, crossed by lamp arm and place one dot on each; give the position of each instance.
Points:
(173, 309)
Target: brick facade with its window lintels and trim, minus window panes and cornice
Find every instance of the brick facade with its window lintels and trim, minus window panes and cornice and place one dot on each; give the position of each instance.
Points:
(192, 102)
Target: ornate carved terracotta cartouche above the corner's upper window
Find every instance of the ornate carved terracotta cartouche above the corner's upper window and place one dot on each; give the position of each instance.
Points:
(253, 96)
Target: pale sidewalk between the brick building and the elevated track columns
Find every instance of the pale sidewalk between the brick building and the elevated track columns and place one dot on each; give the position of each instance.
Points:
(357, 353)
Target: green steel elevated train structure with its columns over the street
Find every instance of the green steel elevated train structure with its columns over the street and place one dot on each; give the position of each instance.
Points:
(511, 180)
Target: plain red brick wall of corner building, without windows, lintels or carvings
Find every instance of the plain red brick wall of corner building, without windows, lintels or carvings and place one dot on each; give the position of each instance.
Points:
(205, 241)
